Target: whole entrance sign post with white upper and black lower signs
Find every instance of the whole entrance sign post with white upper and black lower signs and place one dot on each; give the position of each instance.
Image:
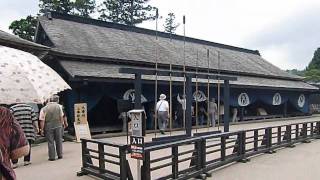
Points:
(137, 139)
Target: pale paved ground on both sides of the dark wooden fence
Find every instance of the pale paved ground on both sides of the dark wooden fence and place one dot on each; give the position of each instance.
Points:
(286, 164)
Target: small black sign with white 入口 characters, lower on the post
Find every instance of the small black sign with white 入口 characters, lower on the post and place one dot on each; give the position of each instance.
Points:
(137, 147)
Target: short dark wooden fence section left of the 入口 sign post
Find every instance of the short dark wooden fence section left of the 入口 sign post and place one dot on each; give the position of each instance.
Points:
(104, 160)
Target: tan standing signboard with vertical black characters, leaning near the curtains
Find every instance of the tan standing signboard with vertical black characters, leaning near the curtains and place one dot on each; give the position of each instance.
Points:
(81, 125)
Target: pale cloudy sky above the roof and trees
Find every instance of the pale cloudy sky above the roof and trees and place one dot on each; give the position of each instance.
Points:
(286, 32)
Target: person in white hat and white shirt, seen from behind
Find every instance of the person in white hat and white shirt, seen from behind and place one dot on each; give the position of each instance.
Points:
(162, 108)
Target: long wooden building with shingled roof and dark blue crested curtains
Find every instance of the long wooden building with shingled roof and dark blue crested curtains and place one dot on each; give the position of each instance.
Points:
(89, 53)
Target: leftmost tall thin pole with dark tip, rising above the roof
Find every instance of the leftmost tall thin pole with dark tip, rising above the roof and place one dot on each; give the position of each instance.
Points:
(156, 82)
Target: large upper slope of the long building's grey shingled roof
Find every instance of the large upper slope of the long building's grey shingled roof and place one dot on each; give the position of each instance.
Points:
(93, 38)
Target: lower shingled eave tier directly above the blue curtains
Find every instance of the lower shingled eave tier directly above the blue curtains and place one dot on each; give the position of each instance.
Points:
(103, 70)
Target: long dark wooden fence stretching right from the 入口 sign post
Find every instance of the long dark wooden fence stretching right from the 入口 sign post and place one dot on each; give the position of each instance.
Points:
(196, 156)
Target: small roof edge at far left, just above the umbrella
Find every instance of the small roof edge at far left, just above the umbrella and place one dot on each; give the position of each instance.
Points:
(13, 41)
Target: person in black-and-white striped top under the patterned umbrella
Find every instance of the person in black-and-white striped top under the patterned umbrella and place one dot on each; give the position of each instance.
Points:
(27, 119)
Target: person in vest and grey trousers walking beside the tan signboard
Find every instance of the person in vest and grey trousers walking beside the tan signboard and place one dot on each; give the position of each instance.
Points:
(51, 124)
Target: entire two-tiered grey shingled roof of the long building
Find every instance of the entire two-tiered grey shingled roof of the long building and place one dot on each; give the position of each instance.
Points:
(99, 42)
